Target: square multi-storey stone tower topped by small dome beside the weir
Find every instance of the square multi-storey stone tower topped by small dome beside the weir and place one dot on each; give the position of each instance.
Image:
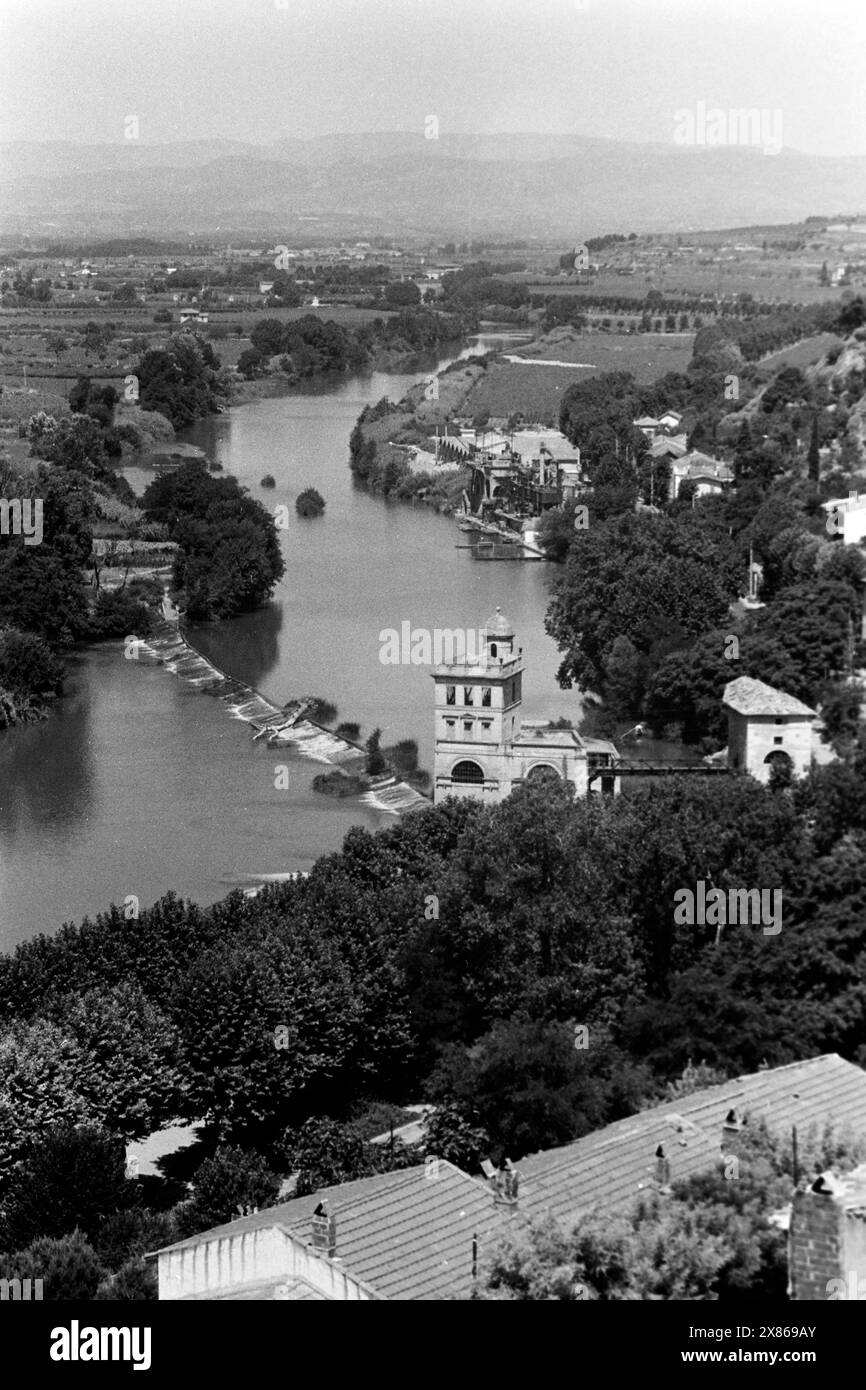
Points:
(477, 717)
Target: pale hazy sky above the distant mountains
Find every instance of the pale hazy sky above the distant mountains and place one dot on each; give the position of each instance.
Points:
(256, 70)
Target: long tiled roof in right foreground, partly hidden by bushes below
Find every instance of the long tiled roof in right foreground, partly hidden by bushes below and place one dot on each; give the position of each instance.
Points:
(611, 1168)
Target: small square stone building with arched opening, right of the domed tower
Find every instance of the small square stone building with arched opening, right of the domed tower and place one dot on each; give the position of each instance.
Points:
(767, 726)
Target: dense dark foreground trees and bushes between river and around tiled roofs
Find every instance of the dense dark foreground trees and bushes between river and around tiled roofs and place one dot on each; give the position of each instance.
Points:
(446, 958)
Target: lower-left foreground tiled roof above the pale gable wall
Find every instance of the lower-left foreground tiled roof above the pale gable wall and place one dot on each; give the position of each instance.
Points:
(407, 1235)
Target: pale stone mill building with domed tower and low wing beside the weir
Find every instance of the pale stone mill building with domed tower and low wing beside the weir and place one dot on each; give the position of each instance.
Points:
(483, 747)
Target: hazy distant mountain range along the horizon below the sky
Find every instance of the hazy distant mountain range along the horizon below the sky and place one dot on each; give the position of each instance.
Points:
(458, 186)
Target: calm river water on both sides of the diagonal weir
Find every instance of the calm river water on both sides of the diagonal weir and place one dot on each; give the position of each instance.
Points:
(138, 785)
